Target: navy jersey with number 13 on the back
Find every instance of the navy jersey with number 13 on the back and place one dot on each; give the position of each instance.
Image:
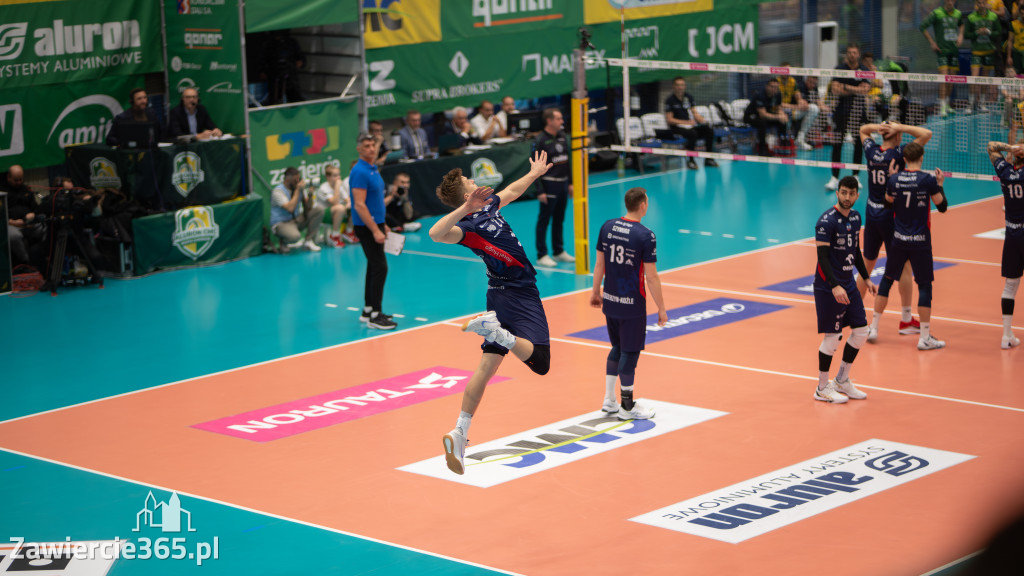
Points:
(626, 245)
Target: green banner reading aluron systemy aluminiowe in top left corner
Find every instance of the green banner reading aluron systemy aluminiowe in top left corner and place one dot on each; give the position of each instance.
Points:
(77, 40)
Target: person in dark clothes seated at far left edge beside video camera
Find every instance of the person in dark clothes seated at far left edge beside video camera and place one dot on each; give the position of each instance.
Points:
(26, 224)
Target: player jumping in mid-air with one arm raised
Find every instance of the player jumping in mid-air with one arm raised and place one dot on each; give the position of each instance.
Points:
(516, 321)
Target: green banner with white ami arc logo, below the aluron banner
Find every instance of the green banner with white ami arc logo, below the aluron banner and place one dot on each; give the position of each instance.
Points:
(36, 126)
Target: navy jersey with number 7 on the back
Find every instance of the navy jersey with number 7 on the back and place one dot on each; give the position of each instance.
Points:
(913, 192)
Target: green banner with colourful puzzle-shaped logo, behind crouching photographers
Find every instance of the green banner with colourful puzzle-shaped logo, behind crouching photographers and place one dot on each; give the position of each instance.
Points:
(309, 137)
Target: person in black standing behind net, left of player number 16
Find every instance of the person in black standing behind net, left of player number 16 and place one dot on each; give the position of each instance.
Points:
(849, 110)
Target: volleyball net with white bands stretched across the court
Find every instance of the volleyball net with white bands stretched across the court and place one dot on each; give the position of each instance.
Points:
(964, 114)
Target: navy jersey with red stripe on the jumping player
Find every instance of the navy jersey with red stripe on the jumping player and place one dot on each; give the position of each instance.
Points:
(489, 236)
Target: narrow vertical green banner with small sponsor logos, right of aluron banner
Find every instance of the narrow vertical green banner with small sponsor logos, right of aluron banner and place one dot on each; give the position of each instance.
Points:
(204, 51)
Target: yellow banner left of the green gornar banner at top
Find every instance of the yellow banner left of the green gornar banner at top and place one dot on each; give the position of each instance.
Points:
(394, 23)
